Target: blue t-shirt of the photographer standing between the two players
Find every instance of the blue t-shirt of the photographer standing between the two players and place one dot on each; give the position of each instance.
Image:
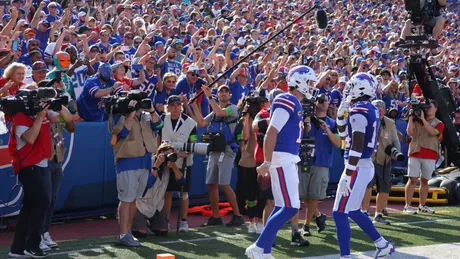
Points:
(322, 155)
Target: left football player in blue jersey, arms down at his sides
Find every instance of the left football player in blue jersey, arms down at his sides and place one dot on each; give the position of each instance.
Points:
(281, 148)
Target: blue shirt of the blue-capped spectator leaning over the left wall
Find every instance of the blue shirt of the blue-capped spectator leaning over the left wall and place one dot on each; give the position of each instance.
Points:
(89, 107)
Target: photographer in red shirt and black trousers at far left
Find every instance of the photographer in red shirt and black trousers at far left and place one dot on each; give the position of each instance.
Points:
(30, 146)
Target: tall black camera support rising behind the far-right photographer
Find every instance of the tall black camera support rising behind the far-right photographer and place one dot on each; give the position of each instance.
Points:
(418, 69)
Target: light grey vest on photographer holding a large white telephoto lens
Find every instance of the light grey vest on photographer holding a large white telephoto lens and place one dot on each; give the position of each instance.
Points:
(181, 133)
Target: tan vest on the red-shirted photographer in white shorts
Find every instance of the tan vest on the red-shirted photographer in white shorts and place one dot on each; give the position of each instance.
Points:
(421, 138)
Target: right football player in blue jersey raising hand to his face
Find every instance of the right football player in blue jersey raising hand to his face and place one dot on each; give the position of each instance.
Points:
(360, 129)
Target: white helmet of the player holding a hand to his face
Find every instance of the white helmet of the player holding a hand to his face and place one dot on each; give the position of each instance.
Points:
(360, 85)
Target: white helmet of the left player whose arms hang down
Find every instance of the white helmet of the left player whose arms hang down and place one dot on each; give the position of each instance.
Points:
(302, 78)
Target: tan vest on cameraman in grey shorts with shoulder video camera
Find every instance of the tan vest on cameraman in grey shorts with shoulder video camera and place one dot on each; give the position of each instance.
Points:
(141, 134)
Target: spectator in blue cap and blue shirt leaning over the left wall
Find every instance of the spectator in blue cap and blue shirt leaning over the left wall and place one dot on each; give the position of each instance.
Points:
(102, 84)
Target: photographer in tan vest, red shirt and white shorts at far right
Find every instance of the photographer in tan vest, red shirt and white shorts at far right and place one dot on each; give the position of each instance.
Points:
(426, 133)
